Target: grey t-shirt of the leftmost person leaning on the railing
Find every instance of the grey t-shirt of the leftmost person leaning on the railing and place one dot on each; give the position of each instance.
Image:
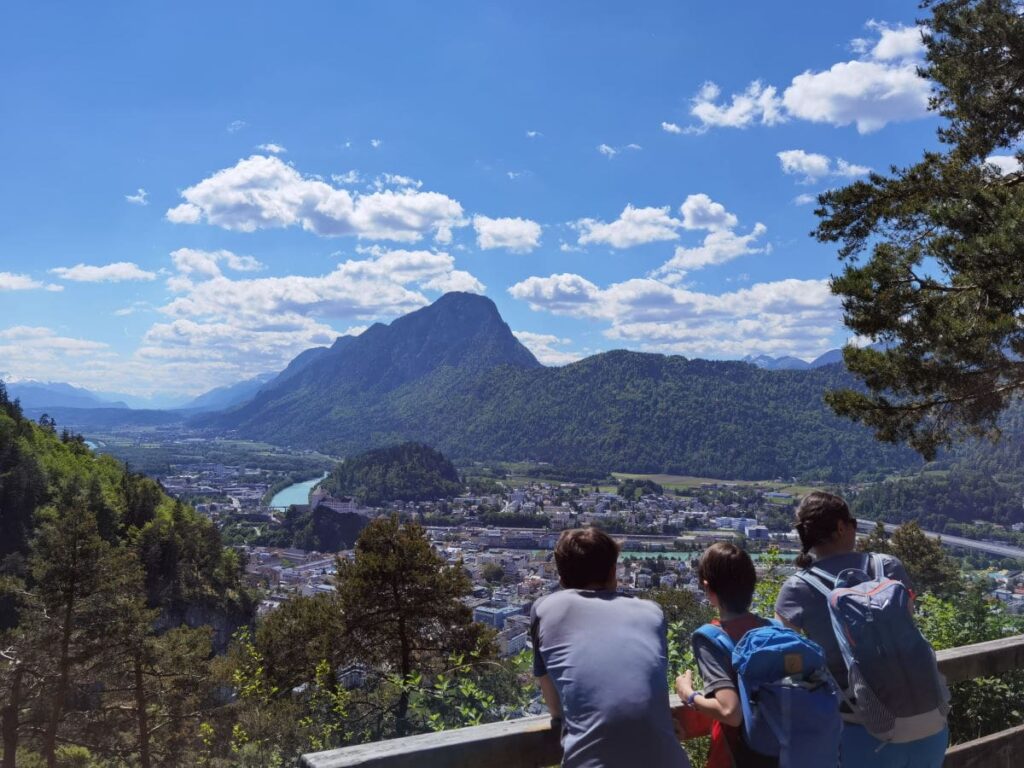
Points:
(608, 657)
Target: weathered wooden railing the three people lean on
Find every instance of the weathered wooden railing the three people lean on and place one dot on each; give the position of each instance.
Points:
(530, 743)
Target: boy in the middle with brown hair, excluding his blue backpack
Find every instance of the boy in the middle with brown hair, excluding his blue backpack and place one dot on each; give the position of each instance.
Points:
(728, 576)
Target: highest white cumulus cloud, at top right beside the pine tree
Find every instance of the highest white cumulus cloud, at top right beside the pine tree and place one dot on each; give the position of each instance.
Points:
(880, 88)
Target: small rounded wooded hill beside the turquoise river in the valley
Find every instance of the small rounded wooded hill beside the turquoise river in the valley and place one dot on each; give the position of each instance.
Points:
(409, 473)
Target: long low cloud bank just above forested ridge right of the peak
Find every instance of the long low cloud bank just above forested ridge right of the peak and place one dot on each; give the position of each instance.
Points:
(789, 317)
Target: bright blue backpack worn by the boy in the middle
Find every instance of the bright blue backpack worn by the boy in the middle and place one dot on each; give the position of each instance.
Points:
(790, 700)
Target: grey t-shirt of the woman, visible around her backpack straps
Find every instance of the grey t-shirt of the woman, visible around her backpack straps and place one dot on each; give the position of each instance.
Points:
(806, 609)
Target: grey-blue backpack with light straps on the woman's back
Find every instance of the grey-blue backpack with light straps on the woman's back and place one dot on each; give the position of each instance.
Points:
(895, 690)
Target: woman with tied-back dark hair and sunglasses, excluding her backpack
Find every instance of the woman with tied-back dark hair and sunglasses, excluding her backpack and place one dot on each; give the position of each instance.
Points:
(828, 537)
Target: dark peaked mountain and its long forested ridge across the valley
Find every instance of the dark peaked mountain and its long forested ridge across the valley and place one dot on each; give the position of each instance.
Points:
(454, 376)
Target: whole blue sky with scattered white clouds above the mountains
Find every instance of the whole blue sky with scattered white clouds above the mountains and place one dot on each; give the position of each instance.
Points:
(195, 193)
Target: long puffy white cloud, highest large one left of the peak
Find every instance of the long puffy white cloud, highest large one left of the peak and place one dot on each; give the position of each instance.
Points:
(264, 193)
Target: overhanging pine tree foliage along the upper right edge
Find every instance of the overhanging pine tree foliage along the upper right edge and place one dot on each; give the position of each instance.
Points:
(942, 285)
